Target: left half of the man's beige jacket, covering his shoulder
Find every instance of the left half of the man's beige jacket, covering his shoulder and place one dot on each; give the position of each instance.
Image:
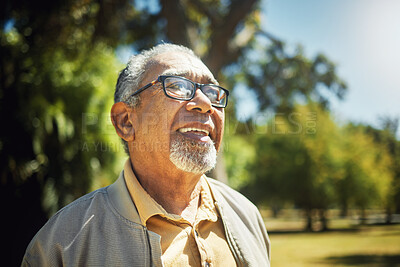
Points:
(76, 235)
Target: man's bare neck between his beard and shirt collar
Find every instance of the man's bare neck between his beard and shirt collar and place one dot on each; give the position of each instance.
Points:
(176, 191)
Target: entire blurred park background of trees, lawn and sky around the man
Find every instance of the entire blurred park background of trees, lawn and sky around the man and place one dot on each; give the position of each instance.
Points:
(311, 132)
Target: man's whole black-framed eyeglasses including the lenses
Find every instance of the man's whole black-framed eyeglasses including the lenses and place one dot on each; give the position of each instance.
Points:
(180, 88)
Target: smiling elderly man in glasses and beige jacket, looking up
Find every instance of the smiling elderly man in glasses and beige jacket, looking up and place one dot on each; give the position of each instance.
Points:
(162, 210)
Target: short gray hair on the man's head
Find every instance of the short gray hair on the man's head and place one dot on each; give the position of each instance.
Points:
(131, 77)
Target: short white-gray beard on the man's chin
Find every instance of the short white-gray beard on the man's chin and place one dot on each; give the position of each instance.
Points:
(192, 156)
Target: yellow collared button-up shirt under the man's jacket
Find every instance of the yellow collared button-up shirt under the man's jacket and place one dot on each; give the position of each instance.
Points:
(202, 243)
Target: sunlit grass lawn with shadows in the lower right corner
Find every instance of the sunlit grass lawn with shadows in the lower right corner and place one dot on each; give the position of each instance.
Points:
(346, 244)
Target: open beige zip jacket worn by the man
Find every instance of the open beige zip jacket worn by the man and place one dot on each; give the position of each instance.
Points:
(103, 228)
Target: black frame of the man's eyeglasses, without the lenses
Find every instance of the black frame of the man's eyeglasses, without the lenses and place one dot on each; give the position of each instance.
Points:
(162, 79)
